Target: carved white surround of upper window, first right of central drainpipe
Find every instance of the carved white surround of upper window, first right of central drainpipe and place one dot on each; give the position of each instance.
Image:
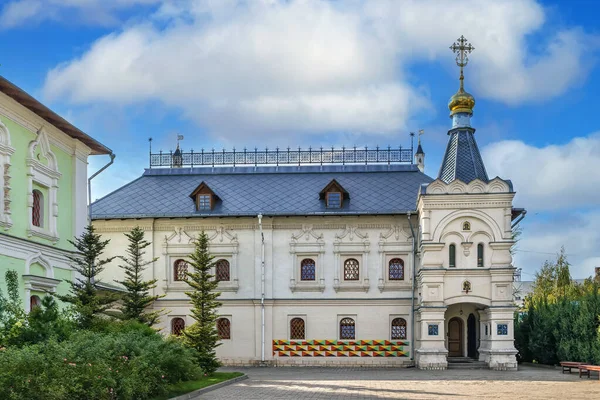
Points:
(311, 246)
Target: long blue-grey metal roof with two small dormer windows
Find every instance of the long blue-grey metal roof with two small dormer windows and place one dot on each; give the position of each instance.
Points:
(248, 191)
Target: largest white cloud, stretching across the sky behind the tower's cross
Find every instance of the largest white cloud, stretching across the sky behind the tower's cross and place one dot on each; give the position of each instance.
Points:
(240, 67)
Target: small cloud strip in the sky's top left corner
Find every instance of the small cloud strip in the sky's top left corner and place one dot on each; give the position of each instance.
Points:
(97, 12)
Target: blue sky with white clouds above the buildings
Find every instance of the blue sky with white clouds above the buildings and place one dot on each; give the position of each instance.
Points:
(242, 73)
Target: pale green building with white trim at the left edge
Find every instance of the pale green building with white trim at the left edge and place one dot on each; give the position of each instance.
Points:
(43, 192)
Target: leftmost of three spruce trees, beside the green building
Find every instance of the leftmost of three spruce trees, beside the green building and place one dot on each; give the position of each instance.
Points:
(84, 295)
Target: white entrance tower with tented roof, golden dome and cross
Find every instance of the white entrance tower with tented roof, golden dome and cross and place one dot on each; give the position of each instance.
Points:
(464, 293)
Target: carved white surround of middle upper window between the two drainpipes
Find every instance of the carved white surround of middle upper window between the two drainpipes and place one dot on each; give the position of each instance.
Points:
(344, 248)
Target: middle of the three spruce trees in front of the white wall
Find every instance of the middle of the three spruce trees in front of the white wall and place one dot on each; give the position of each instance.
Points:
(138, 297)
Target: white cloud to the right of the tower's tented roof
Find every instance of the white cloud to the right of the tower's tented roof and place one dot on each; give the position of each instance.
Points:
(550, 177)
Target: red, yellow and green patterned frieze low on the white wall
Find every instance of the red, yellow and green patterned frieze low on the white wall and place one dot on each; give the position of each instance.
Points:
(336, 348)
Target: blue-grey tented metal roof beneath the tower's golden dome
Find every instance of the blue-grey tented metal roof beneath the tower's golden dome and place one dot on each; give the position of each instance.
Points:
(462, 159)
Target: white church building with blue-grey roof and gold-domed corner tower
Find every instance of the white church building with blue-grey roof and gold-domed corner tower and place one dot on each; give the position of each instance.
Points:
(334, 256)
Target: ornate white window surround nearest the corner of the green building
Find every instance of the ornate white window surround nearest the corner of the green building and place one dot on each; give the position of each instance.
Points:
(48, 177)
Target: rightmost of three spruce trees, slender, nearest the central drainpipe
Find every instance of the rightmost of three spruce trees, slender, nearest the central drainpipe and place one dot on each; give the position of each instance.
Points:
(203, 335)
